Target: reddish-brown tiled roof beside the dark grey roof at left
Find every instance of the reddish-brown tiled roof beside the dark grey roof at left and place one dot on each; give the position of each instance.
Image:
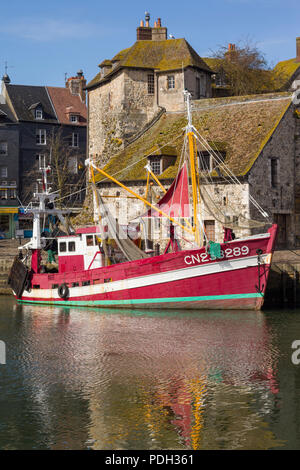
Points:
(64, 101)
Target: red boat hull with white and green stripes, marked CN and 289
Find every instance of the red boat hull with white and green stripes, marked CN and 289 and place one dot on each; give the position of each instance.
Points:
(187, 279)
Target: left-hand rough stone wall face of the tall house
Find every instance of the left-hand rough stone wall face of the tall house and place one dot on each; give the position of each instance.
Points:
(117, 110)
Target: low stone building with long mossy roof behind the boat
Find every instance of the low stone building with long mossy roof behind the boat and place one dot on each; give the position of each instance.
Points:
(257, 137)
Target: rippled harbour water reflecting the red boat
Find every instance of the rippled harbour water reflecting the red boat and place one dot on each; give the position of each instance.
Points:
(107, 379)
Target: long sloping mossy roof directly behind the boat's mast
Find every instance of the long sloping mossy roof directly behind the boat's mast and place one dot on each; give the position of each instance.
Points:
(243, 125)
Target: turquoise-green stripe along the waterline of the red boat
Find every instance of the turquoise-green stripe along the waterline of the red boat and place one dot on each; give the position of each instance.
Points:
(95, 303)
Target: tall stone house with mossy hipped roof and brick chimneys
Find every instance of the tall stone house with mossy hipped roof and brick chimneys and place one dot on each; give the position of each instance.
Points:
(134, 87)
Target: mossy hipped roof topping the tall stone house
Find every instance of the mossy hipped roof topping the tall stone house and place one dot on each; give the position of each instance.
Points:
(170, 54)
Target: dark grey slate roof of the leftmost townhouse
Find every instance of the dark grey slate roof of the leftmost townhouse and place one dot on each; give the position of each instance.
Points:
(23, 97)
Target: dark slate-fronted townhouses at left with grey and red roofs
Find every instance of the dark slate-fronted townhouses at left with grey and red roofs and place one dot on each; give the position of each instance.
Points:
(29, 117)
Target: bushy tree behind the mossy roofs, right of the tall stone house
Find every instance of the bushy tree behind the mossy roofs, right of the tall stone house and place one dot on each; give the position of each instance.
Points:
(245, 69)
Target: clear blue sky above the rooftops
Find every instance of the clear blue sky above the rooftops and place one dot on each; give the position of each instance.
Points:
(42, 41)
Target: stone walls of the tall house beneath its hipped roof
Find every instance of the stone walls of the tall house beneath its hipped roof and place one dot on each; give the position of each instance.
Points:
(122, 106)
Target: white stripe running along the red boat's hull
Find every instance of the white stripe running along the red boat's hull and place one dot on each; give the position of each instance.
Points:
(153, 279)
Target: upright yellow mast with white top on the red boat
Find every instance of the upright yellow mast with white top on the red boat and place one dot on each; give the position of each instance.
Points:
(192, 145)
